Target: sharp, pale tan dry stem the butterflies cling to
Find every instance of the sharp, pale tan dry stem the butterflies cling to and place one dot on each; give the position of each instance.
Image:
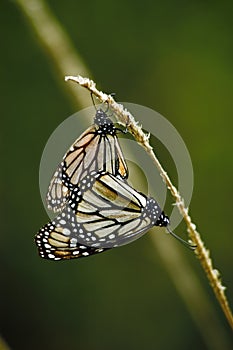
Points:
(202, 253)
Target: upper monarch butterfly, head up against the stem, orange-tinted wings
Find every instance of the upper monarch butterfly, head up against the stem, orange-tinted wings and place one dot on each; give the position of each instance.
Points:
(97, 149)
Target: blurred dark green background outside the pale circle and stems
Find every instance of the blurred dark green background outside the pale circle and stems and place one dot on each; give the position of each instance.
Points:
(173, 56)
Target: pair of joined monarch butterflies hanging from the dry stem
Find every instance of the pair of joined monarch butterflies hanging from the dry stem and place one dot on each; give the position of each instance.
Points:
(97, 208)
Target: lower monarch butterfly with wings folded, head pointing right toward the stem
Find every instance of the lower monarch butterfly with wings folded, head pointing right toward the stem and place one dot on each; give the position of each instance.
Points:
(103, 212)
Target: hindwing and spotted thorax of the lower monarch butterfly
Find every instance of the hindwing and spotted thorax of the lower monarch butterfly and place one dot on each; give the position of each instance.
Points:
(111, 213)
